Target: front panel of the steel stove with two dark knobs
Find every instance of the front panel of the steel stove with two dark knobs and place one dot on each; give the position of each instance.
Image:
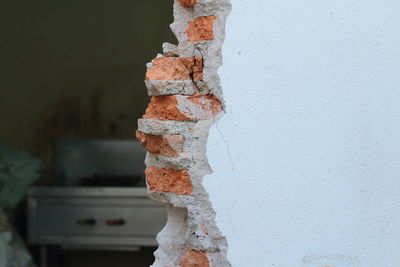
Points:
(94, 218)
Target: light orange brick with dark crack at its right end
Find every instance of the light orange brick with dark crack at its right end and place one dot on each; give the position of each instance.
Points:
(176, 68)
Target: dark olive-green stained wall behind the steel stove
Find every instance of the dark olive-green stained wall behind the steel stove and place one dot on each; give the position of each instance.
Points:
(74, 69)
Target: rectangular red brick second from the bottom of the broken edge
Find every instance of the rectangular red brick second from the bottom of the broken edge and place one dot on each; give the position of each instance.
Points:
(167, 180)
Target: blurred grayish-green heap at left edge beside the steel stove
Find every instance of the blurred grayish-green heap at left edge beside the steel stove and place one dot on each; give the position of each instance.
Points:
(18, 169)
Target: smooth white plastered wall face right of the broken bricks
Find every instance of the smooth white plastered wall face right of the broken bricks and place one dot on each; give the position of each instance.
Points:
(307, 159)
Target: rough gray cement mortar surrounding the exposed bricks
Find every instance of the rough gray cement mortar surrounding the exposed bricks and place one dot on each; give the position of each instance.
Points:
(191, 218)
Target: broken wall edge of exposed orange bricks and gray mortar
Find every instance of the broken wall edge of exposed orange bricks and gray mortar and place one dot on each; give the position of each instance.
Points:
(186, 101)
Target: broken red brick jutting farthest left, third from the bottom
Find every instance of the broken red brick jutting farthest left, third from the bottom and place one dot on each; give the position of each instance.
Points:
(166, 145)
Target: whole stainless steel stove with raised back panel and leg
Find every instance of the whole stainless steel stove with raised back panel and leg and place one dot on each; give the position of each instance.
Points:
(98, 202)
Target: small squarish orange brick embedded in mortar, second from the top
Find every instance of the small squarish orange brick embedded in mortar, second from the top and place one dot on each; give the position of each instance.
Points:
(201, 29)
